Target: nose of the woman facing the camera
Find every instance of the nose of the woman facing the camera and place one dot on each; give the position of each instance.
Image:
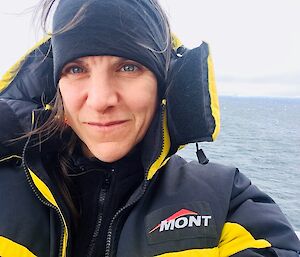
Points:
(102, 92)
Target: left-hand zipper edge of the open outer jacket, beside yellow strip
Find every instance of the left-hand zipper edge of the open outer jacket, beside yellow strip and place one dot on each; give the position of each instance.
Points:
(32, 186)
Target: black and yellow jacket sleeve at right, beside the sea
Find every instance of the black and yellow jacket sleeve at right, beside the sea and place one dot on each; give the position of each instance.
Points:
(255, 225)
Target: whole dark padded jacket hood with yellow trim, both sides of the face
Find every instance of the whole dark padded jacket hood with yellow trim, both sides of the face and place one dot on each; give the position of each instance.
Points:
(188, 113)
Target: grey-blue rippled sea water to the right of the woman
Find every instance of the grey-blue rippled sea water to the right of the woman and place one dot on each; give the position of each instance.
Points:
(261, 136)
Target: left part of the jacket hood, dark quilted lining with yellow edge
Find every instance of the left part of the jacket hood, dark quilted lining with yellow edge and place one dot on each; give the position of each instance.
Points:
(24, 87)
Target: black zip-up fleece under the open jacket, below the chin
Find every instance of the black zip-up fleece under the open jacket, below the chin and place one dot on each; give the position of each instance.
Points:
(99, 191)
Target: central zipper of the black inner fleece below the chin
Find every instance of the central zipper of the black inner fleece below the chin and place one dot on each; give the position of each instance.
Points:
(101, 201)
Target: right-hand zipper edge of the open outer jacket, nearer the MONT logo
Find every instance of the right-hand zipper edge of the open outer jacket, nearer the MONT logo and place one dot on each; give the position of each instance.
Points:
(110, 229)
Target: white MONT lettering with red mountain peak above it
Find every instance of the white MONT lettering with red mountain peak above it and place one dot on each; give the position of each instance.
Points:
(179, 220)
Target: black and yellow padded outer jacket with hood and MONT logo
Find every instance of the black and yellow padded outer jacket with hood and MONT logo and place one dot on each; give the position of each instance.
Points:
(181, 209)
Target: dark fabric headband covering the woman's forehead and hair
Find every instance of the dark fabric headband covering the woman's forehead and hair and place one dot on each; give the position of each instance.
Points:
(125, 28)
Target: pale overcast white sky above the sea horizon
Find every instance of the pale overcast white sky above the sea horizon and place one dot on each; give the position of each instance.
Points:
(255, 44)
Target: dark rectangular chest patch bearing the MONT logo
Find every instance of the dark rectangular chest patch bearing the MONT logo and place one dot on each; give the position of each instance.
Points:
(181, 221)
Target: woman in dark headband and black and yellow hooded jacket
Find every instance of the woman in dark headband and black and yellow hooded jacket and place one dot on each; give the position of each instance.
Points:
(98, 175)
